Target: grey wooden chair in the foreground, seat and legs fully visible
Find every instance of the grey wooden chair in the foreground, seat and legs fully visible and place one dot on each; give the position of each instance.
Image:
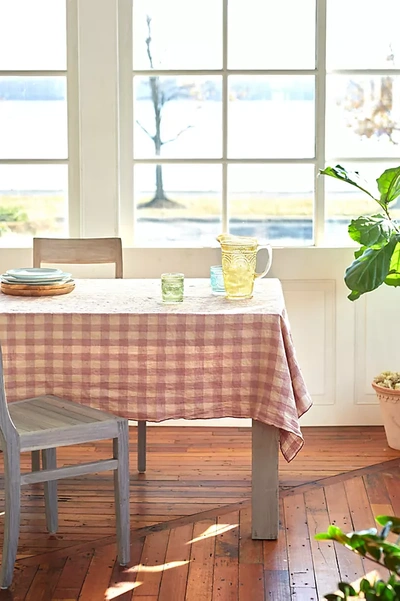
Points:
(45, 423)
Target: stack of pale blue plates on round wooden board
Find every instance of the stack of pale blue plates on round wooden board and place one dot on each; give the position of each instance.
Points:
(36, 281)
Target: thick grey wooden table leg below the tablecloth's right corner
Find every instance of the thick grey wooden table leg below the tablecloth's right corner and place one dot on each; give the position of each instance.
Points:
(264, 497)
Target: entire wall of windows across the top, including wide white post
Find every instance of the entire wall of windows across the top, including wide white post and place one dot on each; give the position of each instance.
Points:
(233, 108)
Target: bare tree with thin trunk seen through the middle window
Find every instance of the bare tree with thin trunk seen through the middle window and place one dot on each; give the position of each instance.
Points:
(162, 92)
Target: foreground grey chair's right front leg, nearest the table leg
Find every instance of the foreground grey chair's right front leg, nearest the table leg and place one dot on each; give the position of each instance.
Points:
(121, 492)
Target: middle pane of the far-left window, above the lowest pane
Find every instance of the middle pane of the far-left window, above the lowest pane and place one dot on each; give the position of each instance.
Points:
(33, 118)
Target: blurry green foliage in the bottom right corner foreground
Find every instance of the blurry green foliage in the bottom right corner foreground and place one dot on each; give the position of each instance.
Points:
(375, 546)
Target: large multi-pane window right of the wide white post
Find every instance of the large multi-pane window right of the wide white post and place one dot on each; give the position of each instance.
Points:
(237, 105)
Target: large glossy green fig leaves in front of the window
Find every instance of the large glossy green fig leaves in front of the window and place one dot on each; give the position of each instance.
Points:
(377, 261)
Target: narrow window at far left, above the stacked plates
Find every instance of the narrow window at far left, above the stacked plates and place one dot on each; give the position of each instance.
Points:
(33, 120)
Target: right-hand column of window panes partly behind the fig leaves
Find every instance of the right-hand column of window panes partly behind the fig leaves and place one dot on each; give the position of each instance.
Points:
(362, 103)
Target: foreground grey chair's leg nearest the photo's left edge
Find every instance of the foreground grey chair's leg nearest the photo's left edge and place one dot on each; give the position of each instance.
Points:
(12, 484)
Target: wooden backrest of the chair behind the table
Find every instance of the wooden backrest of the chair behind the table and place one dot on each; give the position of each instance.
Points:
(83, 251)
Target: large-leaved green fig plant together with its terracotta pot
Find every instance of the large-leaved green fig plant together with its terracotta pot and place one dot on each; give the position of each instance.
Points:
(376, 262)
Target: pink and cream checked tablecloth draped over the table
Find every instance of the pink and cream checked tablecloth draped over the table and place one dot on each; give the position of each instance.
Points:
(112, 344)
